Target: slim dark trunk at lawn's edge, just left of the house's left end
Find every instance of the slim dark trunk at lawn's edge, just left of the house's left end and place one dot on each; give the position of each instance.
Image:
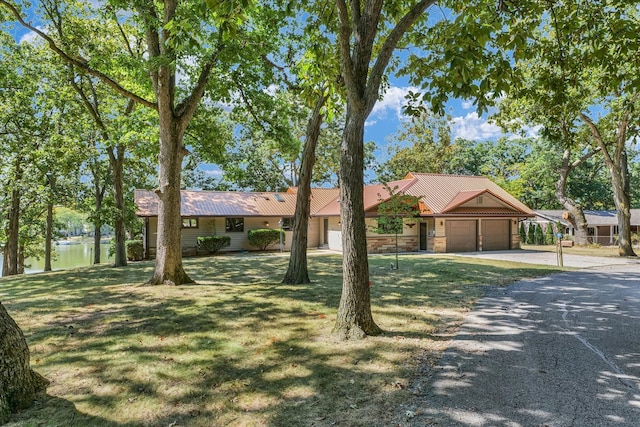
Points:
(116, 161)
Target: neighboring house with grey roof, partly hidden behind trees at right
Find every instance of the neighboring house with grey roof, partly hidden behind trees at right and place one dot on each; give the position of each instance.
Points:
(602, 226)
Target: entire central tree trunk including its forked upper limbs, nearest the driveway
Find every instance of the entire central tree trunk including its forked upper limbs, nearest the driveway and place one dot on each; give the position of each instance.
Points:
(362, 73)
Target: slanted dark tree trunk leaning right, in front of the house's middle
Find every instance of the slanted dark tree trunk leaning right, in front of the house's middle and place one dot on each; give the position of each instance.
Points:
(297, 272)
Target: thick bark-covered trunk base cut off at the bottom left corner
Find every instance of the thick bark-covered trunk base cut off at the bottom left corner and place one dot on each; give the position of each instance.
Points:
(19, 384)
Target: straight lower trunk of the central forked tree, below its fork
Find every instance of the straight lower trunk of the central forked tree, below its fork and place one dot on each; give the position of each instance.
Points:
(354, 320)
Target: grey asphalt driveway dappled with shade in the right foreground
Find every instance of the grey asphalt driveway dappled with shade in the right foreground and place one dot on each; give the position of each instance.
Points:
(562, 350)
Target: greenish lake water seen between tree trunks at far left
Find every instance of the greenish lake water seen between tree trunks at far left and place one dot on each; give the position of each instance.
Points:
(67, 256)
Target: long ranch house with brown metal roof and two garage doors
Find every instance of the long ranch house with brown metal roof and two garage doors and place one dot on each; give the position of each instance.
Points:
(456, 214)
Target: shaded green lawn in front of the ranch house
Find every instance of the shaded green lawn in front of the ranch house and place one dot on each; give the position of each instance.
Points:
(239, 348)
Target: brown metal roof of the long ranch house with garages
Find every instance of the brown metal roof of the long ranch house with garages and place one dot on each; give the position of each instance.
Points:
(439, 195)
